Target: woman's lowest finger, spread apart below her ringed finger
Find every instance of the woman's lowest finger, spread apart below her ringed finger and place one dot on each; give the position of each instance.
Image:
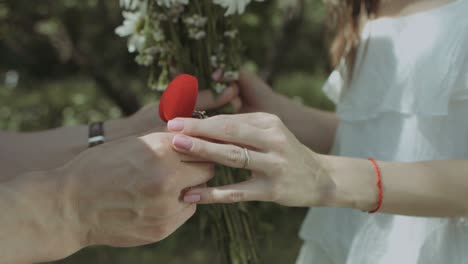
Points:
(251, 190)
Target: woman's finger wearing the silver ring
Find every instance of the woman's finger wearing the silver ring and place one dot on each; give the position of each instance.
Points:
(229, 155)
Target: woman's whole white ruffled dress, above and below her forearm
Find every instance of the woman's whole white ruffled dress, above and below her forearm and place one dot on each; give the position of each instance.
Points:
(407, 101)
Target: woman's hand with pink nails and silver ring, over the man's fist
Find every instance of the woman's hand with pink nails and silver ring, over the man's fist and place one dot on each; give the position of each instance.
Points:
(283, 169)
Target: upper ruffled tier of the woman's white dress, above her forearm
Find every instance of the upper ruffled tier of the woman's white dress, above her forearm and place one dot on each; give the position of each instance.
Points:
(415, 65)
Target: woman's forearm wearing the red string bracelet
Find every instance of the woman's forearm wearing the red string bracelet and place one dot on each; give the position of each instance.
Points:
(433, 188)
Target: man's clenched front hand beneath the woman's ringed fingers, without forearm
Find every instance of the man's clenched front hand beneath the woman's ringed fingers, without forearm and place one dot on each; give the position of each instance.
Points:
(129, 192)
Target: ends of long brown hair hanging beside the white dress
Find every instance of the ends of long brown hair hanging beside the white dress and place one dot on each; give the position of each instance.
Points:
(345, 18)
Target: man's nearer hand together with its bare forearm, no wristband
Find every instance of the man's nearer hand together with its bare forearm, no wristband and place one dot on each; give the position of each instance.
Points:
(123, 193)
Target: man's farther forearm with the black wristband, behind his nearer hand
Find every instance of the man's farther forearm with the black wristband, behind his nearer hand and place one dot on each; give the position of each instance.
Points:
(45, 150)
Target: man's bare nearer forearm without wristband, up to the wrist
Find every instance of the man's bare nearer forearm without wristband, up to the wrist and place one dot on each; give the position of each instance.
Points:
(33, 225)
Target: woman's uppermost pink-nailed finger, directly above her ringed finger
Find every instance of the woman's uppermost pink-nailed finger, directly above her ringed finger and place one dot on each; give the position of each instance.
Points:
(223, 129)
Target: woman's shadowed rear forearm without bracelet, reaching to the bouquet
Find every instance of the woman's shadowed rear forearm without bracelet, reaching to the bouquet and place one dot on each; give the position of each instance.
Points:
(313, 127)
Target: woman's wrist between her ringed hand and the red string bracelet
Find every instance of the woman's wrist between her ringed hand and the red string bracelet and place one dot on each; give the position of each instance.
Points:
(355, 183)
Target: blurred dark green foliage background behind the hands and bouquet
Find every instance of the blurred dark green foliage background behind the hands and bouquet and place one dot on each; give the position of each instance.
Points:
(71, 68)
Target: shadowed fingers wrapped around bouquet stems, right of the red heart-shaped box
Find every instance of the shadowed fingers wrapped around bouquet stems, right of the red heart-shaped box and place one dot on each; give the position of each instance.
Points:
(207, 100)
